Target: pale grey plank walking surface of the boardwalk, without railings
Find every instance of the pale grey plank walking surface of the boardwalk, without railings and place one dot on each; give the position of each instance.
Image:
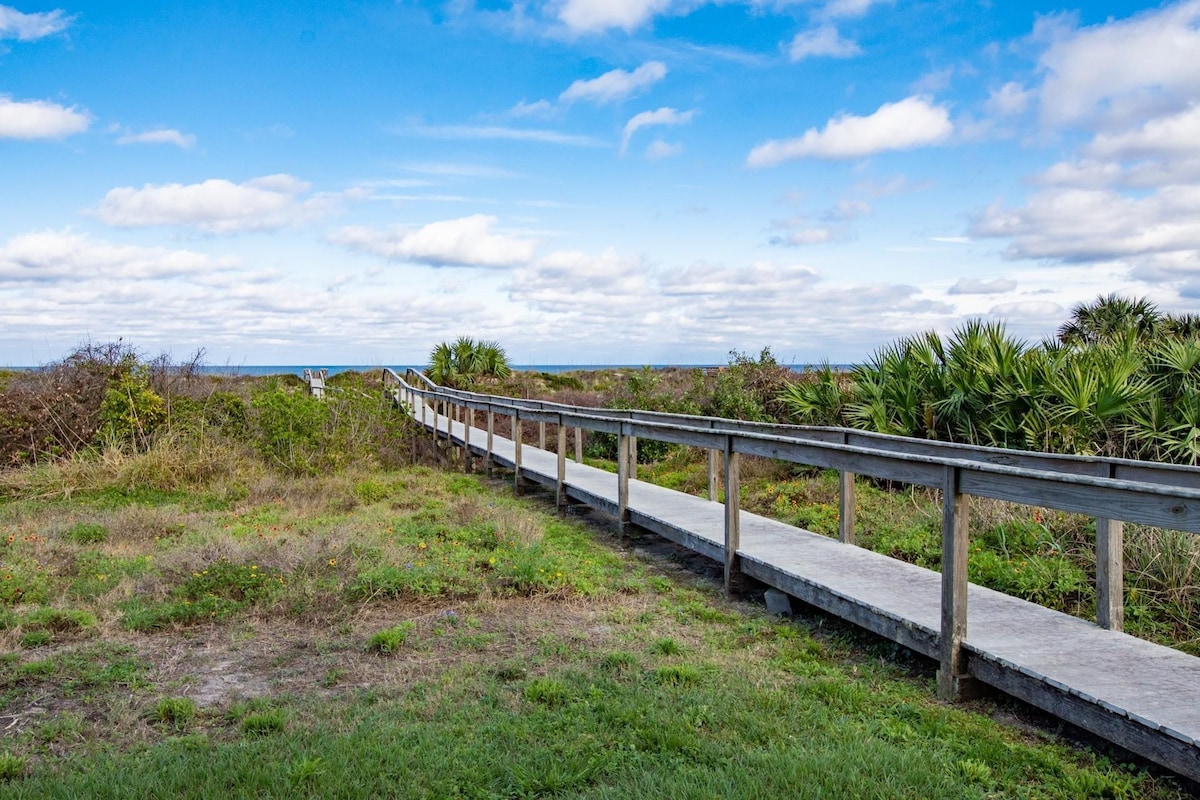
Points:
(1129, 691)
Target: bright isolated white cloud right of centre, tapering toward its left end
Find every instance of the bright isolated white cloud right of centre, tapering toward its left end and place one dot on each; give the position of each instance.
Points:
(910, 123)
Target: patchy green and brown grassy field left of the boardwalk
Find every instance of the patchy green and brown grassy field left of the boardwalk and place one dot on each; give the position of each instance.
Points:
(417, 634)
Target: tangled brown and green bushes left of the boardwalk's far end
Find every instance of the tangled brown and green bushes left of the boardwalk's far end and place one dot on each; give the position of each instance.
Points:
(110, 398)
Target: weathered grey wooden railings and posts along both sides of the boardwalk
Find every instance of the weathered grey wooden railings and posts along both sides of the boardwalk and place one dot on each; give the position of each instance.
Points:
(1113, 491)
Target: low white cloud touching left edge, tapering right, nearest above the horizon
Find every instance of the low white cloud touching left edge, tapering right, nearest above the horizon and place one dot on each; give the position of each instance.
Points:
(58, 256)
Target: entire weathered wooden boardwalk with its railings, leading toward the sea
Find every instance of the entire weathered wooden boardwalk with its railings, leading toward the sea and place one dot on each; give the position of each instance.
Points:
(1135, 694)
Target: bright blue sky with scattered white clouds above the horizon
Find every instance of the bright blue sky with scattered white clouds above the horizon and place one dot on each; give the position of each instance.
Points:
(587, 182)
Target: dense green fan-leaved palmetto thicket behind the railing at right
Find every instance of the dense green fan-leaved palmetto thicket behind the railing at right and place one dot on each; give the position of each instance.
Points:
(1123, 381)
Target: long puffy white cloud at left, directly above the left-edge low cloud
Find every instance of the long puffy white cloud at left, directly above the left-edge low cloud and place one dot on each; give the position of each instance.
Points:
(217, 206)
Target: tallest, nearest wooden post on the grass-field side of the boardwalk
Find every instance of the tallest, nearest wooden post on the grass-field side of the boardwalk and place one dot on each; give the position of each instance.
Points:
(953, 681)
